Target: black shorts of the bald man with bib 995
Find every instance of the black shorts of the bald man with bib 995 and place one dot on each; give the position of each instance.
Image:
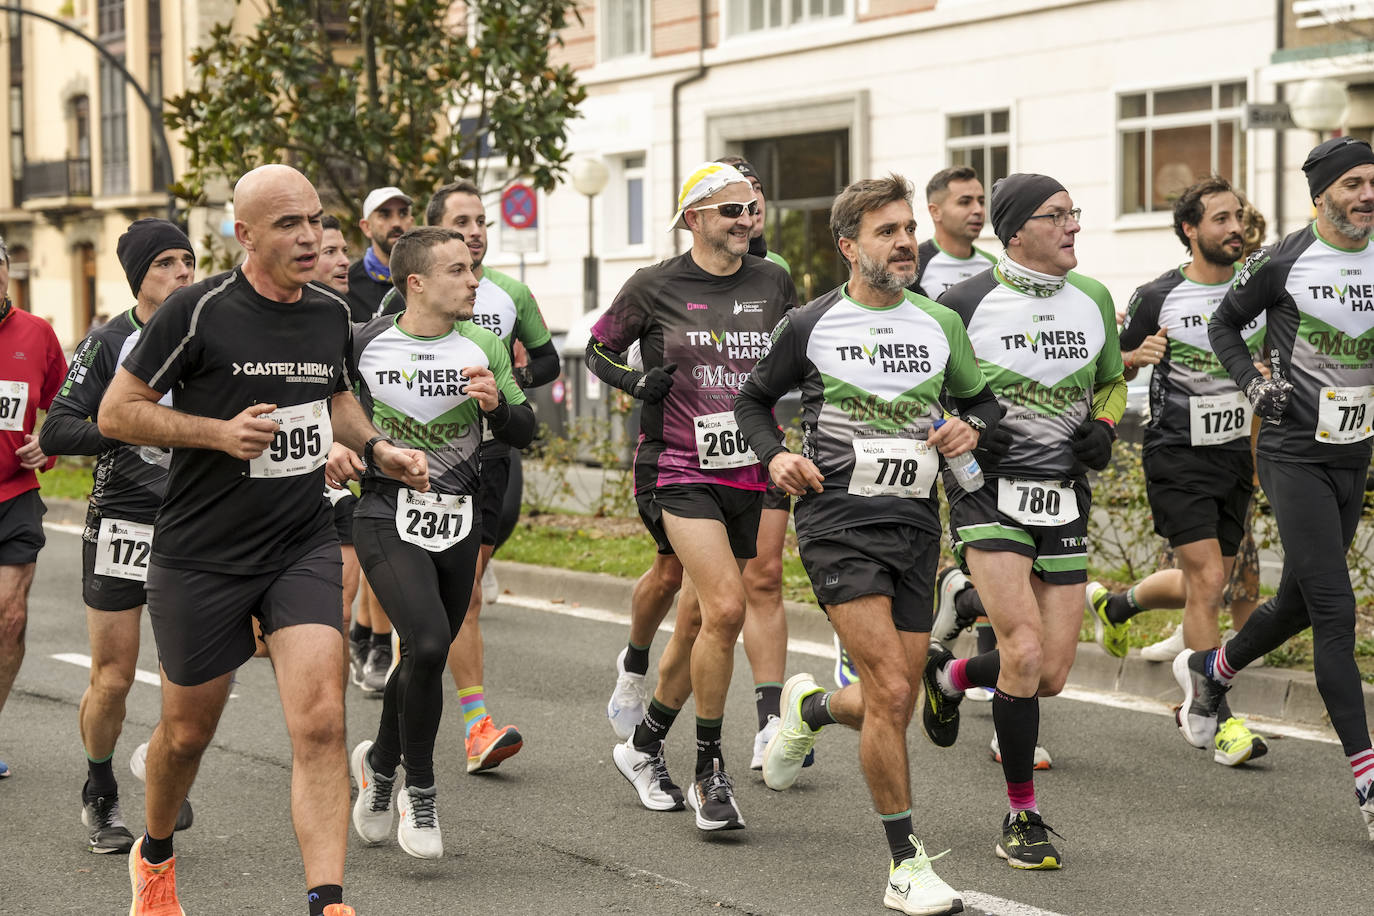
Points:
(203, 621)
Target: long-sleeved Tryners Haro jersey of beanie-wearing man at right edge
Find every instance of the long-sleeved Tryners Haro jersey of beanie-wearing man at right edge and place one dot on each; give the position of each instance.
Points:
(1320, 308)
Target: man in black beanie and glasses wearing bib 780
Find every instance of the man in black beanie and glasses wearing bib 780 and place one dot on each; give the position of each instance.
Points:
(1046, 337)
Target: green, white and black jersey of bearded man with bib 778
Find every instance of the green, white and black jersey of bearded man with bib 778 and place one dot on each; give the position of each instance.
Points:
(869, 380)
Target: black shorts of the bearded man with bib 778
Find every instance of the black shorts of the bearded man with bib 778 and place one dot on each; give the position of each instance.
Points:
(898, 561)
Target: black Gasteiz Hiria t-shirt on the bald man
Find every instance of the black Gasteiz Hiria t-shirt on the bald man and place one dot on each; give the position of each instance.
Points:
(221, 347)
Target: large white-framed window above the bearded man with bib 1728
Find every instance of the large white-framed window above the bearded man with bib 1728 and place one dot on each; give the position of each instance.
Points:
(1171, 138)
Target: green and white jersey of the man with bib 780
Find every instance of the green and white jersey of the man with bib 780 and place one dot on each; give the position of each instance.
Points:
(1044, 356)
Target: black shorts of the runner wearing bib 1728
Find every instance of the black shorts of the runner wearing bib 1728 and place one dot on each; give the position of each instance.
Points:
(1199, 495)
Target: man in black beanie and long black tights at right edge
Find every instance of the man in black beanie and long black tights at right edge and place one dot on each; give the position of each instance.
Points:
(1314, 450)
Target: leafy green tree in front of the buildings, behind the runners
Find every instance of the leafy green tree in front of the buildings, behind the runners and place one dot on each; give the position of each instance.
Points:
(362, 94)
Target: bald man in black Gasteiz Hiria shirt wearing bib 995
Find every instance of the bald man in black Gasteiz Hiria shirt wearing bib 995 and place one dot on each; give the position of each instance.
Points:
(255, 362)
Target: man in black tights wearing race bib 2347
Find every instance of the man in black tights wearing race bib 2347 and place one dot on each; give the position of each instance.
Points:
(421, 549)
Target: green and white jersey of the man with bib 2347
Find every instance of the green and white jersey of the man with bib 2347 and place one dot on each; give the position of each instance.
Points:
(414, 391)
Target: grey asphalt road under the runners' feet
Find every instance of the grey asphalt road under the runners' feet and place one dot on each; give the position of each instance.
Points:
(1149, 825)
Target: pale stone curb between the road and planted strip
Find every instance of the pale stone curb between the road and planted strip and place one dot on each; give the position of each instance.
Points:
(1272, 693)
